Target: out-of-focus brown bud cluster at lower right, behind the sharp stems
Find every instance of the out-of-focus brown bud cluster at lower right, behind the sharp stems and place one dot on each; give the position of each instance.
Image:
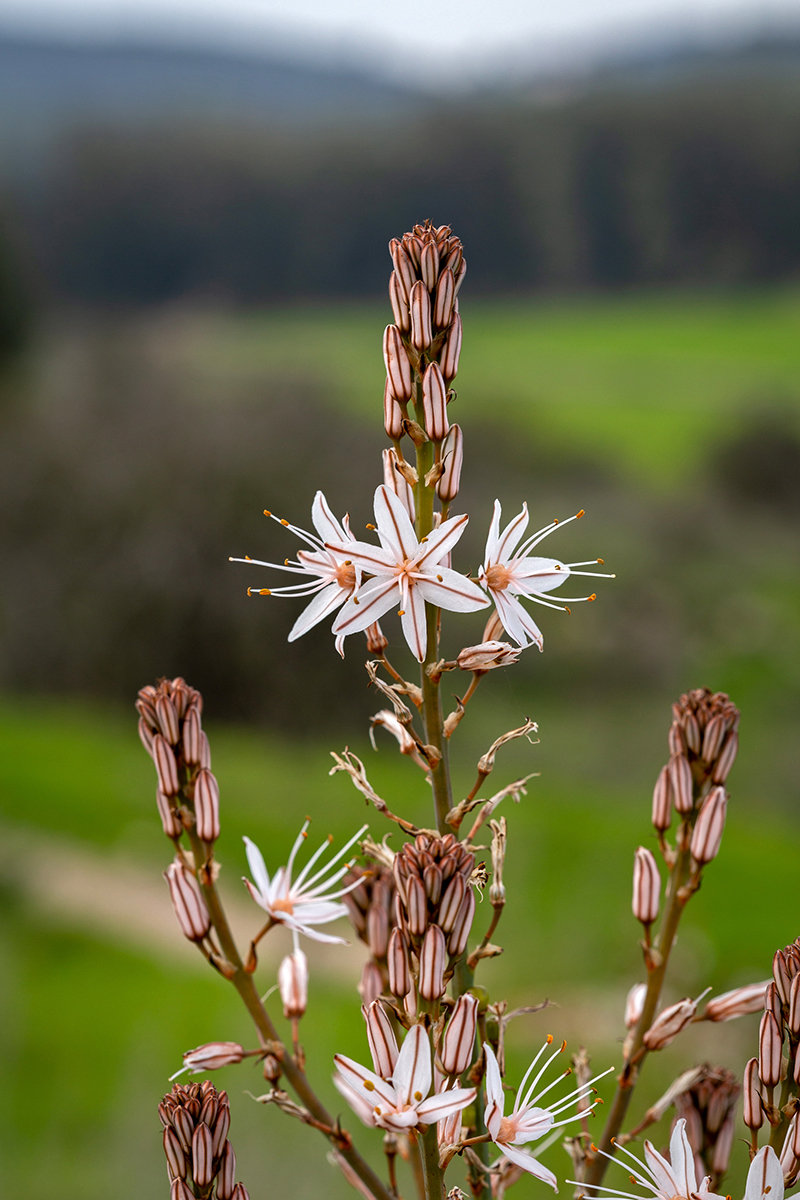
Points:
(709, 1109)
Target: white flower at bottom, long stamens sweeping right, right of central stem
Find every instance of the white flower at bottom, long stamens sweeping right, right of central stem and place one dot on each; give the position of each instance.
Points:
(528, 1121)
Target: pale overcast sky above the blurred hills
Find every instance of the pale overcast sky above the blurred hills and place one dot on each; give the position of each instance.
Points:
(412, 38)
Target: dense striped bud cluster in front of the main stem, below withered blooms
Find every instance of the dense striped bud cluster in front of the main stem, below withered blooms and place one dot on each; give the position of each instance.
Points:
(435, 907)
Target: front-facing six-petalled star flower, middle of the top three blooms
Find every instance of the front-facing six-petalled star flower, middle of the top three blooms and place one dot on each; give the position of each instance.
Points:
(405, 572)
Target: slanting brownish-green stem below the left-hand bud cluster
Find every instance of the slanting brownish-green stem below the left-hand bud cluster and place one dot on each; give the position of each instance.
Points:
(245, 986)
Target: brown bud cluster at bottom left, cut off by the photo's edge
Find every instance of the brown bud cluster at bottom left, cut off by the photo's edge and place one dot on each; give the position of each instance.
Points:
(196, 1119)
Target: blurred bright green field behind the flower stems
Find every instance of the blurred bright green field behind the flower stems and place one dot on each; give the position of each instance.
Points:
(93, 1021)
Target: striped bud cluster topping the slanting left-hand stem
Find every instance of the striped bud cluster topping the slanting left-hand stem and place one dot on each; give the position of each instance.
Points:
(172, 734)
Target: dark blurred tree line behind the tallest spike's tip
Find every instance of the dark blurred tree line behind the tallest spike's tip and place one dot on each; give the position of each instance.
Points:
(697, 183)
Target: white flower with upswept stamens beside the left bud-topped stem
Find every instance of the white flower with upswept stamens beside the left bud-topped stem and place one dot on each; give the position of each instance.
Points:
(302, 904)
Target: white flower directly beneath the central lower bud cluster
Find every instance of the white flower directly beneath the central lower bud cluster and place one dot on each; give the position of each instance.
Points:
(404, 1103)
